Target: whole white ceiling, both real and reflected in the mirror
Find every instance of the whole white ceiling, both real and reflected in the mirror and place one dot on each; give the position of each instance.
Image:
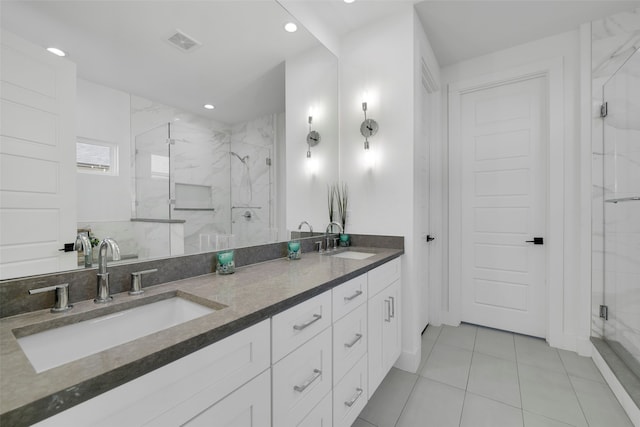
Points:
(122, 44)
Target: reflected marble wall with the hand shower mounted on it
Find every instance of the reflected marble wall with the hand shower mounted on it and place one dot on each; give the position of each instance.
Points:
(252, 181)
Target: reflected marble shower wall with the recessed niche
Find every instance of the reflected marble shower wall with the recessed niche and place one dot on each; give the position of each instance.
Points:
(199, 172)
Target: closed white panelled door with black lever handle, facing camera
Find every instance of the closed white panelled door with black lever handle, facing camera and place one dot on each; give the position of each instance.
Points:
(503, 205)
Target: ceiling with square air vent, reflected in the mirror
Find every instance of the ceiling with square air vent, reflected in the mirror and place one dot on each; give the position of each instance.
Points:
(122, 44)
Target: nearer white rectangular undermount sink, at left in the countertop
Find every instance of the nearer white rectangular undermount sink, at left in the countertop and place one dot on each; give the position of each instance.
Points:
(55, 347)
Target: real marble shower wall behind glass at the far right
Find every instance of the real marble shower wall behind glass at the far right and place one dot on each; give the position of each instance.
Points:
(616, 174)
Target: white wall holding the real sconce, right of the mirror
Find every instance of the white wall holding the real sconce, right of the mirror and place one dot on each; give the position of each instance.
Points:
(379, 60)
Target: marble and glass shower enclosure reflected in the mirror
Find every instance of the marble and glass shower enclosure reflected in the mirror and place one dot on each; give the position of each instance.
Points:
(197, 190)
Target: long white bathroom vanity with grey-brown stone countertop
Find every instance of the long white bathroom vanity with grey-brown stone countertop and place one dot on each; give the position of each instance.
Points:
(286, 343)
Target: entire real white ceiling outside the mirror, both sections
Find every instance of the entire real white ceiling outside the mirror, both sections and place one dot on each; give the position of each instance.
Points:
(463, 29)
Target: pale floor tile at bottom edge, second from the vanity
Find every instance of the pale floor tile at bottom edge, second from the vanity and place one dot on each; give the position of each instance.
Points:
(432, 404)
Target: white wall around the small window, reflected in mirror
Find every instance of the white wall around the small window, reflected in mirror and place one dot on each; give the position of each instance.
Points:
(103, 114)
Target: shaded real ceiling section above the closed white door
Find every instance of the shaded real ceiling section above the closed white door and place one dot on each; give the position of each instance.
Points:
(460, 30)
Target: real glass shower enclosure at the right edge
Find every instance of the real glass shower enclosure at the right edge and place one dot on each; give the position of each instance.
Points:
(616, 245)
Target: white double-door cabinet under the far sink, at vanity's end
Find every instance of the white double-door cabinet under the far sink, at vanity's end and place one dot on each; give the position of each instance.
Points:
(384, 321)
